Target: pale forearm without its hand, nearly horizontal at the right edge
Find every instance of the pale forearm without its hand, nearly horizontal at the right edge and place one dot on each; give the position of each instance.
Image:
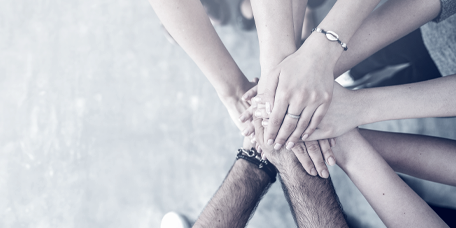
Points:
(432, 98)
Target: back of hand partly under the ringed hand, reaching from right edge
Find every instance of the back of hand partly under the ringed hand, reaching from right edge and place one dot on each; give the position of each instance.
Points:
(344, 114)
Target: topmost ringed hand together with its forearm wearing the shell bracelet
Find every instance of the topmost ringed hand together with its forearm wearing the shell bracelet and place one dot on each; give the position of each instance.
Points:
(306, 76)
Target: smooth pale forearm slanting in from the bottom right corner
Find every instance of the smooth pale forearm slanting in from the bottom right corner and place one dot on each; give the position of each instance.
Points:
(394, 202)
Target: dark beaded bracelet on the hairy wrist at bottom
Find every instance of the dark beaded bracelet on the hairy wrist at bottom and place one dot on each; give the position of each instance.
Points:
(254, 157)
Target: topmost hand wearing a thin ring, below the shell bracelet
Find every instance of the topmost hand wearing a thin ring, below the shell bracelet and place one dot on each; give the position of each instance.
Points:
(302, 84)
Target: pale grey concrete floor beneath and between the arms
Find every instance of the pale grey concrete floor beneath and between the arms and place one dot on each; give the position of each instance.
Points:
(105, 124)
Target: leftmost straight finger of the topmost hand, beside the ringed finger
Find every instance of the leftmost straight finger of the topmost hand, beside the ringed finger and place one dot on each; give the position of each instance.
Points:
(275, 121)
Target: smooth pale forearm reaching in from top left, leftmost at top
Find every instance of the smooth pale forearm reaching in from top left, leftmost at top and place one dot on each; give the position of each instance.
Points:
(188, 23)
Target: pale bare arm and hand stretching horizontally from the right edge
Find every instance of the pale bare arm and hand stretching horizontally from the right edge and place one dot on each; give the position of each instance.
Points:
(432, 98)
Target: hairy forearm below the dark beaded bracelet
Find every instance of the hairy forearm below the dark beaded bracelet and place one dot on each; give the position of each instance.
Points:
(237, 198)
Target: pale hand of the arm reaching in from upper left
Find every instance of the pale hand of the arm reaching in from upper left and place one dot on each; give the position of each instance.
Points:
(237, 105)
